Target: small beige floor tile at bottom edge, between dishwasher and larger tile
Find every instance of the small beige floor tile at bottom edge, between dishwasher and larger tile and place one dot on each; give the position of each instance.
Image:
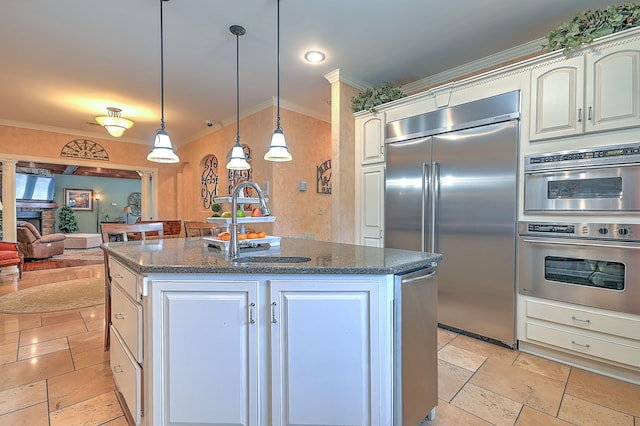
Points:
(487, 405)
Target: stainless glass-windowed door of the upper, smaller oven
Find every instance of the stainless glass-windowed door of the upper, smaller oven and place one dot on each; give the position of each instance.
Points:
(607, 189)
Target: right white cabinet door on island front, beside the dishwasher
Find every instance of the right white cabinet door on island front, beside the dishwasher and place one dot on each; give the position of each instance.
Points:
(324, 351)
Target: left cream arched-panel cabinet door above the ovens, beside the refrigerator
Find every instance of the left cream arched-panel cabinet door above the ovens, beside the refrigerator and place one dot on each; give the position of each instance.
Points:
(557, 94)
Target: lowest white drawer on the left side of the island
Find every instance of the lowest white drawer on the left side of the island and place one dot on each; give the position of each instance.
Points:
(127, 375)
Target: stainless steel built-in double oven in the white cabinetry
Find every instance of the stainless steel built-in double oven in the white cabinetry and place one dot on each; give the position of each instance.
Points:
(583, 262)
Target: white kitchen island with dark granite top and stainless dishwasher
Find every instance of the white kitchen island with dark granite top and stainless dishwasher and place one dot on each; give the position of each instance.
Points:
(308, 332)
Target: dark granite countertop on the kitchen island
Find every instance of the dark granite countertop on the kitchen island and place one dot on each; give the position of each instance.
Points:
(193, 255)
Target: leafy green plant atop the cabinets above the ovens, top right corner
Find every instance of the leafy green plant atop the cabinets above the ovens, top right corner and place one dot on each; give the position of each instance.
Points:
(588, 26)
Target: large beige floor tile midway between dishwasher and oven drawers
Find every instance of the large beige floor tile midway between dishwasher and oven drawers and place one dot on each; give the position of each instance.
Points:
(532, 389)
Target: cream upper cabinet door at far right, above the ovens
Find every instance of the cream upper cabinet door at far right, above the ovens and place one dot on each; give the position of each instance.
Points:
(613, 89)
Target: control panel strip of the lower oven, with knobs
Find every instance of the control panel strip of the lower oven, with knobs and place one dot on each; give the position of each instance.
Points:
(600, 231)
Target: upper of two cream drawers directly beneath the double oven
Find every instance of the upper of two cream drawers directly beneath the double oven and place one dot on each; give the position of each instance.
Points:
(609, 323)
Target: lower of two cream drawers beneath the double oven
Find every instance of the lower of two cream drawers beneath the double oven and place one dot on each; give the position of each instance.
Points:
(585, 344)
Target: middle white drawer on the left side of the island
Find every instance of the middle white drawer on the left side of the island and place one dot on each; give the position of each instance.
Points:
(126, 317)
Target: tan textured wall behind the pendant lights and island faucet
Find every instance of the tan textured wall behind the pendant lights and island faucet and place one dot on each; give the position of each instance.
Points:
(309, 142)
